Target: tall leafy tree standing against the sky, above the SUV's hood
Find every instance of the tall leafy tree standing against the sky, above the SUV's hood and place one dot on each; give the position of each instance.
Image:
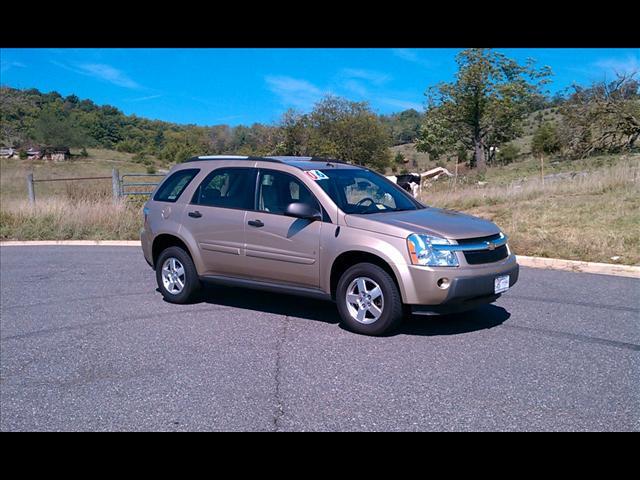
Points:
(484, 106)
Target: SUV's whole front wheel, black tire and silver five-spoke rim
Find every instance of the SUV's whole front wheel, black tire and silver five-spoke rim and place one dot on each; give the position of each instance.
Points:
(368, 300)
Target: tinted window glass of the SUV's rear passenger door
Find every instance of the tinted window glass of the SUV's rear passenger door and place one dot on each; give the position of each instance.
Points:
(227, 188)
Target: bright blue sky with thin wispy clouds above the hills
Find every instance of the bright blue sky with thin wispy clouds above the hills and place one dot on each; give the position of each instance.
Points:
(242, 86)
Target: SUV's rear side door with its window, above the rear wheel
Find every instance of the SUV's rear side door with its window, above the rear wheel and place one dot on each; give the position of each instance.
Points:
(216, 219)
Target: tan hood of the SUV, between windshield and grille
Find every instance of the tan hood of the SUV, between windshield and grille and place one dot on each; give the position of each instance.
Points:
(433, 221)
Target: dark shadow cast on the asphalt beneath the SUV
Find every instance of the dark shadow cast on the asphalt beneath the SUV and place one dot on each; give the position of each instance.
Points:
(482, 318)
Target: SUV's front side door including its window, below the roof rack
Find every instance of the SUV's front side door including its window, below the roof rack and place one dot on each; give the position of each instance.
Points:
(281, 248)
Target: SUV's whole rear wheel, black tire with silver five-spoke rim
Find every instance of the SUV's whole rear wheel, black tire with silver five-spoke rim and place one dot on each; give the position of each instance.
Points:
(177, 276)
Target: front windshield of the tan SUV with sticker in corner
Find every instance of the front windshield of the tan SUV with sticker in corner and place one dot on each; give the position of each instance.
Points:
(361, 191)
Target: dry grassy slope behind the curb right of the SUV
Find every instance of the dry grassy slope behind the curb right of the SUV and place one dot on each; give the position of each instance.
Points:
(592, 217)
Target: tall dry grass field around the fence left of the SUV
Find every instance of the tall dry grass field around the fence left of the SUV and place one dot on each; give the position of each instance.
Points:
(68, 210)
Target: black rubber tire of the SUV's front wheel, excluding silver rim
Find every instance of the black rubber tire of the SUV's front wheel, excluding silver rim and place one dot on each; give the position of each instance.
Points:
(392, 311)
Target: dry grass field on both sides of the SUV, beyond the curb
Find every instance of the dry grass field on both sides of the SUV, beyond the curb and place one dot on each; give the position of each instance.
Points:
(586, 209)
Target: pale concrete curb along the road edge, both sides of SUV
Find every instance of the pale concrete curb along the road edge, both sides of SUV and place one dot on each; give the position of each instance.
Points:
(524, 261)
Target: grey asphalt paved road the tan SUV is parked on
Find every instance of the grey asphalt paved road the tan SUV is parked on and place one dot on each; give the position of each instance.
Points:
(87, 343)
